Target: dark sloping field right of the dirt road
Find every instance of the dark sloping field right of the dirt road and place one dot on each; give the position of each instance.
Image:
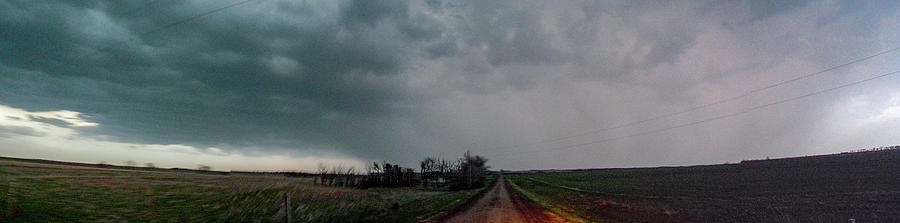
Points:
(833, 188)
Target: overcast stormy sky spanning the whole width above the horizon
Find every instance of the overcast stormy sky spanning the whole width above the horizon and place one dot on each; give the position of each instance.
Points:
(286, 85)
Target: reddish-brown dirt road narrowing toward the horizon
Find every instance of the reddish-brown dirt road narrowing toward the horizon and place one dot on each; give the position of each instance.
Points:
(501, 203)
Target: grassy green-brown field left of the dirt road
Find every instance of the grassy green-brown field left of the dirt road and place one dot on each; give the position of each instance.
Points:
(41, 192)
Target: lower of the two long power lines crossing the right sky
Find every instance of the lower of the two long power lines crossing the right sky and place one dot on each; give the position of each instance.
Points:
(748, 110)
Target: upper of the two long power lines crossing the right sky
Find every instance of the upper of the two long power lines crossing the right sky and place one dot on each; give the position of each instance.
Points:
(721, 101)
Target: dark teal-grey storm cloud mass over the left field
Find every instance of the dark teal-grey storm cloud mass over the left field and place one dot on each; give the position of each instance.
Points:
(264, 74)
